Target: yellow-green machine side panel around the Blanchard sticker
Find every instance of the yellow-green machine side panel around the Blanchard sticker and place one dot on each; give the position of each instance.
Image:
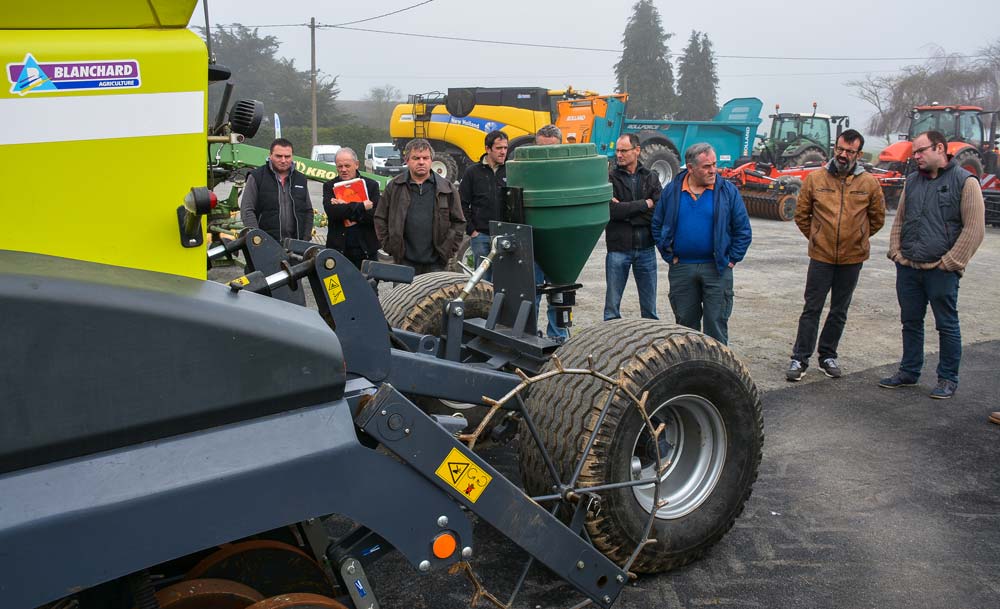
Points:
(111, 201)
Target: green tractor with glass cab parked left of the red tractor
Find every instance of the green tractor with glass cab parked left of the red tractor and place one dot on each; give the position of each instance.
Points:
(799, 139)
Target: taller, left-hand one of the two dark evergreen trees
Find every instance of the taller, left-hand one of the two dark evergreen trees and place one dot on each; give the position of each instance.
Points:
(644, 71)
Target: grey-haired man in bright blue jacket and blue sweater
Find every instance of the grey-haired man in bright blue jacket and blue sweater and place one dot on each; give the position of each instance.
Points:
(702, 230)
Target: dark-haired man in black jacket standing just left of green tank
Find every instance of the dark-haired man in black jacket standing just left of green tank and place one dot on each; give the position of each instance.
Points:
(482, 194)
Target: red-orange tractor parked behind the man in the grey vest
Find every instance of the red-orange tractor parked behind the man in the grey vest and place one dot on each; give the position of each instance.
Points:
(969, 142)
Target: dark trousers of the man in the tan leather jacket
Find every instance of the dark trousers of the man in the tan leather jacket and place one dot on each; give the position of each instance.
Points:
(839, 281)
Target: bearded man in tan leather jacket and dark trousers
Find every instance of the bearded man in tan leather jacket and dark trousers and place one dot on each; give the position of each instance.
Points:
(838, 210)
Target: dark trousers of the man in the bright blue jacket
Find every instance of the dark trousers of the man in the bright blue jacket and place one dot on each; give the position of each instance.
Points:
(699, 295)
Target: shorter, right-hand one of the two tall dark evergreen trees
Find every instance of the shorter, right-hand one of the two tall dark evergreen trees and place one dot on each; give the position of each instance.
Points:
(697, 80)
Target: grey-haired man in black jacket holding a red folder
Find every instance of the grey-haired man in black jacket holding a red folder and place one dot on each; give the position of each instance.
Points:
(351, 225)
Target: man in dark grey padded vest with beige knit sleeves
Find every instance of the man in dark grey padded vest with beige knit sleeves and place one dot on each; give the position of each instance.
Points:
(938, 227)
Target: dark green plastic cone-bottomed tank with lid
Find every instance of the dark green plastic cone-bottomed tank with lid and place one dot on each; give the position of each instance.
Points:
(566, 195)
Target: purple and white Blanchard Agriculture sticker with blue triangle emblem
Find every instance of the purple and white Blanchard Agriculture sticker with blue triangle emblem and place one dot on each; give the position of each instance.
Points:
(32, 76)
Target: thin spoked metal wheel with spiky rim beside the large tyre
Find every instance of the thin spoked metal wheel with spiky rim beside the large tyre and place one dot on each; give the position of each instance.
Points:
(577, 501)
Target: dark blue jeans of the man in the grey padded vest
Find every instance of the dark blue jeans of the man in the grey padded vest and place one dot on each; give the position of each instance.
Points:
(915, 289)
